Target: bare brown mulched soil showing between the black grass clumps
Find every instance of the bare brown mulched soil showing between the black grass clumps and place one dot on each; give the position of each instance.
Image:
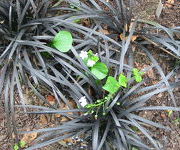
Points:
(168, 139)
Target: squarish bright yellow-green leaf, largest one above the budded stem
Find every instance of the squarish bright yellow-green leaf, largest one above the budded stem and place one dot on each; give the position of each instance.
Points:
(112, 85)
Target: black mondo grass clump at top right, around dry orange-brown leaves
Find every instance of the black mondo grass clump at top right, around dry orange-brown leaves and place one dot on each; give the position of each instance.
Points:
(119, 20)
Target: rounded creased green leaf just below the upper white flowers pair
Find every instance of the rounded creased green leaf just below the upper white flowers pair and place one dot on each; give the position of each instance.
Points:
(100, 70)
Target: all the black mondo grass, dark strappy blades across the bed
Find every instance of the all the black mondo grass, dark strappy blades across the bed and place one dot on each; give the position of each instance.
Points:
(65, 74)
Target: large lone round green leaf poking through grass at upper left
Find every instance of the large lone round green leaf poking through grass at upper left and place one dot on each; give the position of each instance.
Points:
(63, 41)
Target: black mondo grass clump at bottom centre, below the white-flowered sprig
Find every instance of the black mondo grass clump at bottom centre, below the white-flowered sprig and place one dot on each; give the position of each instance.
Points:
(114, 130)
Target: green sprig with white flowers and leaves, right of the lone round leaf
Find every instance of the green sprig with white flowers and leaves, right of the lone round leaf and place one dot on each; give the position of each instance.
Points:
(112, 85)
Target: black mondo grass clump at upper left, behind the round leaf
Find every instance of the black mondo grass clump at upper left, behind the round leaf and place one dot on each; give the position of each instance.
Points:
(23, 38)
